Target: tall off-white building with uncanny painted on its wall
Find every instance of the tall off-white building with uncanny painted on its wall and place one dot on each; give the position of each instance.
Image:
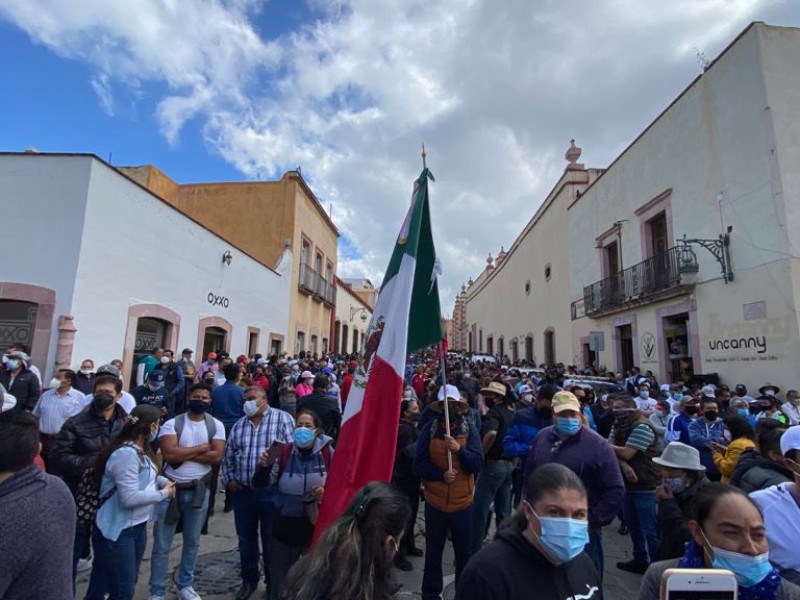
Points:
(725, 154)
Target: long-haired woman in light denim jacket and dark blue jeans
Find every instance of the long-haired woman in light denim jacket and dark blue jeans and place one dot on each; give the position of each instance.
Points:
(128, 484)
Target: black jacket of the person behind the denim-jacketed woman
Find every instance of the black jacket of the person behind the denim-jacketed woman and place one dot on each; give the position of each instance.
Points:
(81, 439)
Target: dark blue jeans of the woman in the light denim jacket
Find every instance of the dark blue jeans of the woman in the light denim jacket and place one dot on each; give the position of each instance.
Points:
(116, 564)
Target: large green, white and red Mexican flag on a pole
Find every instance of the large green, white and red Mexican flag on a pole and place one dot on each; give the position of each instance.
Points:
(407, 317)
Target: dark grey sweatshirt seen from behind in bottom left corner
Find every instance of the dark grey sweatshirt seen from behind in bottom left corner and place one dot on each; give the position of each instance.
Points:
(43, 524)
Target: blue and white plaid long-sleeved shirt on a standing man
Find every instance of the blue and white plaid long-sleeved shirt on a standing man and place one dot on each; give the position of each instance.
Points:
(247, 442)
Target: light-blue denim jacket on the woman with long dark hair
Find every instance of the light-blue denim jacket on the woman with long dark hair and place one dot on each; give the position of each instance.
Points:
(127, 470)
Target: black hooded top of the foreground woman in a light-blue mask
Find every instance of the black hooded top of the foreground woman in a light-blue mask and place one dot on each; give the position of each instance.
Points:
(511, 568)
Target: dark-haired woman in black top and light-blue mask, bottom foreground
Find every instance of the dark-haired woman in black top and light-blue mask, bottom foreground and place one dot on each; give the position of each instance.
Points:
(539, 551)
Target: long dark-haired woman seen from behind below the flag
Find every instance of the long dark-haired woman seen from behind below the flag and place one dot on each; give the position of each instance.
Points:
(353, 559)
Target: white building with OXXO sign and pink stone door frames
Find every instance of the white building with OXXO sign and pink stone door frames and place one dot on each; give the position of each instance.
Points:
(101, 268)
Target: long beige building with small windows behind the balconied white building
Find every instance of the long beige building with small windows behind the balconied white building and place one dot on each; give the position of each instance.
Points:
(518, 305)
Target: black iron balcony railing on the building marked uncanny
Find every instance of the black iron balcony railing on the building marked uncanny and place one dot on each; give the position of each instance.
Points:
(652, 280)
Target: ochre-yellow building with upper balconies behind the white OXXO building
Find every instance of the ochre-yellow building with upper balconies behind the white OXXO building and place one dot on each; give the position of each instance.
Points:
(265, 219)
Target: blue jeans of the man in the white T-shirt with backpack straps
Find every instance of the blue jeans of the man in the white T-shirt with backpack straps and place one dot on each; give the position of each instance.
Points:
(162, 542)
